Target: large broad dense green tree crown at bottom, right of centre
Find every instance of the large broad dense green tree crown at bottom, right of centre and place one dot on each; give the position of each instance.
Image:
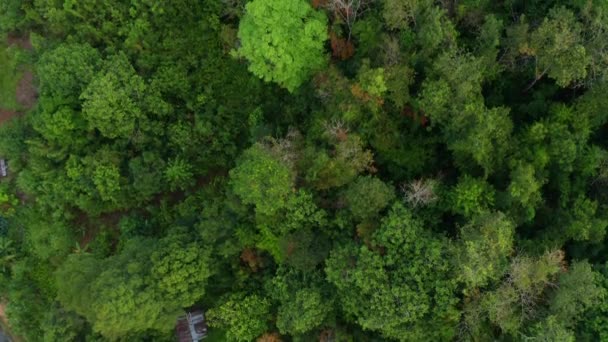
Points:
(401, 286)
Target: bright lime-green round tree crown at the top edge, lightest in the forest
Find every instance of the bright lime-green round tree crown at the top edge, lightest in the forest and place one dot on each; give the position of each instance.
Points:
(283, 40)
